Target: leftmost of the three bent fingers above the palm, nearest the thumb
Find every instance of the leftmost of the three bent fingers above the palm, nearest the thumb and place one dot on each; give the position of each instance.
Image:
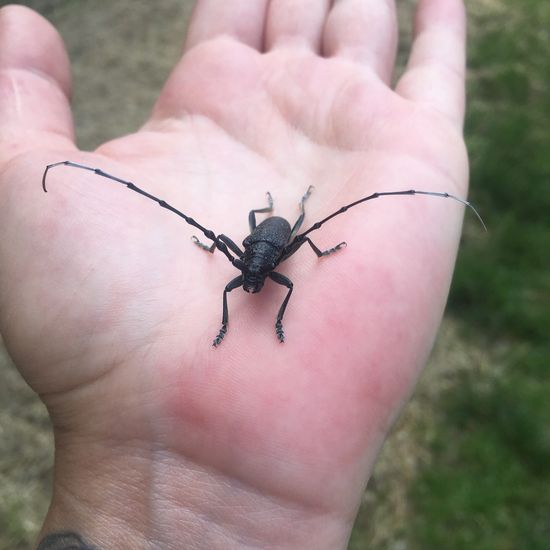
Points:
(241, 19)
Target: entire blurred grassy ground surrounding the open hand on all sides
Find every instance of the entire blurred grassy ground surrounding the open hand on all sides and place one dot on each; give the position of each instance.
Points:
(468, 463)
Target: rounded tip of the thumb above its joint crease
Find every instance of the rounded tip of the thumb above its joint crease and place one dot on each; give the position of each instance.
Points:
(30, 42)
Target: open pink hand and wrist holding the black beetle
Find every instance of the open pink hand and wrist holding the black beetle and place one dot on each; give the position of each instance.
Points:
(109, 311)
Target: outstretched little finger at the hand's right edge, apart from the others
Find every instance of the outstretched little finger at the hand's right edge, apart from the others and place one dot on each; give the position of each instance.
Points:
(435, 74)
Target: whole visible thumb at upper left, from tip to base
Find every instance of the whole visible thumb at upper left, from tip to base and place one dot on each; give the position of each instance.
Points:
(34, 83)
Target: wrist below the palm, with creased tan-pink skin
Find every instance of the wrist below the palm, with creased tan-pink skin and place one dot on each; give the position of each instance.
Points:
(137, 496)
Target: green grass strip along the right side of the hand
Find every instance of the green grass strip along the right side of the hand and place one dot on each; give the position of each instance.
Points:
(488, 484)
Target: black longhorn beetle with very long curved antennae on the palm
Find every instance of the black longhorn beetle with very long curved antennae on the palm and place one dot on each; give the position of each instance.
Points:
(270, 243)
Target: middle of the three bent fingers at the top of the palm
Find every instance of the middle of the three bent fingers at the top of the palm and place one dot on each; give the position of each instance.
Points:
(296, 23)
